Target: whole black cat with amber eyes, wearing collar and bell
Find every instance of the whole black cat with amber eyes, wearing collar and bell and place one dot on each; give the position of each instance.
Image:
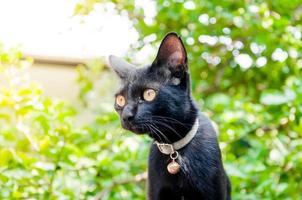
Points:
(185, 159)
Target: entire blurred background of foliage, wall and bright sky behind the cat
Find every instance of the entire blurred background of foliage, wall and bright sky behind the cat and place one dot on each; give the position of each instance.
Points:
(59, 135)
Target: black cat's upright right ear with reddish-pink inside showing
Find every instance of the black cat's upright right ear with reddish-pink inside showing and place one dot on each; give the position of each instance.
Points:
(172, 53)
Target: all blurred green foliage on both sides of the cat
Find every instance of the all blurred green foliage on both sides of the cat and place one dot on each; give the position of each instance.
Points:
(246, 67)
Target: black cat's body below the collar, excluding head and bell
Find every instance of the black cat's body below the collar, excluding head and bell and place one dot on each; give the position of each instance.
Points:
(202, 175)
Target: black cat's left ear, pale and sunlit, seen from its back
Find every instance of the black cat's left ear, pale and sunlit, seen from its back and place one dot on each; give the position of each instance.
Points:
(121, 67)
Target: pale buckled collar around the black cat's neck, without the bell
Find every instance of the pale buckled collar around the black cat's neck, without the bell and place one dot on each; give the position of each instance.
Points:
(171, 148)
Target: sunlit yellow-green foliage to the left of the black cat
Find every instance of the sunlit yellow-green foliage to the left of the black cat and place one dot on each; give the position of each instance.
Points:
(45, 155)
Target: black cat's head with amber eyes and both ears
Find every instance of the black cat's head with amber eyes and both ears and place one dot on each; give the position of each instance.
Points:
(156, 99)
